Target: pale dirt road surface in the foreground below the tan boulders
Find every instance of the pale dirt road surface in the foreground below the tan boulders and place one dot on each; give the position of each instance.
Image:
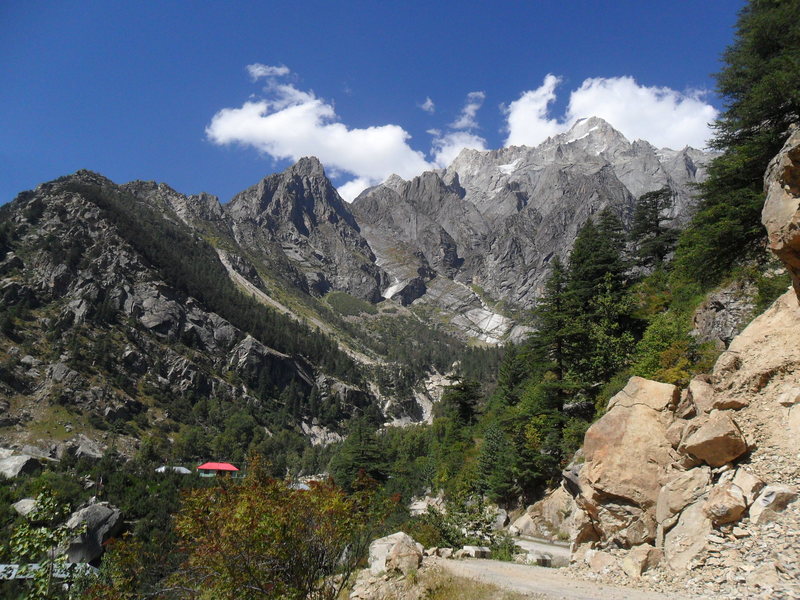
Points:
(542, 583)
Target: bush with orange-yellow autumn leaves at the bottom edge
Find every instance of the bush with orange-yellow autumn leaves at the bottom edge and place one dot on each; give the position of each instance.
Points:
(262, 538)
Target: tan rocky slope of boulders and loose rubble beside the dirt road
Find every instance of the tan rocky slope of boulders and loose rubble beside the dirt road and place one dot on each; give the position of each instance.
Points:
(695, 490)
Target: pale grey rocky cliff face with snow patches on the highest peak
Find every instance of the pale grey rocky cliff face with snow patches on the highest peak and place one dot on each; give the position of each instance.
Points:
(492, 221)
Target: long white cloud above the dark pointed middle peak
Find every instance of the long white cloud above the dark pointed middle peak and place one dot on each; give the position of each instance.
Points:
(290, 123)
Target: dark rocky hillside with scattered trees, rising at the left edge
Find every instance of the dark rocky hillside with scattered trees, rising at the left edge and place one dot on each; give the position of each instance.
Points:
(119, 318)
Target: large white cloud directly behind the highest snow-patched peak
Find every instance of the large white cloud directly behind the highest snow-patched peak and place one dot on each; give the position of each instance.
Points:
(662, 116)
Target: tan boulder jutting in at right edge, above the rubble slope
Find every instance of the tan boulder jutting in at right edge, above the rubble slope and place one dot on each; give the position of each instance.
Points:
(781, 212)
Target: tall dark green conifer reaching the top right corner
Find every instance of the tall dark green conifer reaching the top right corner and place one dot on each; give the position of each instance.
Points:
(760, 83)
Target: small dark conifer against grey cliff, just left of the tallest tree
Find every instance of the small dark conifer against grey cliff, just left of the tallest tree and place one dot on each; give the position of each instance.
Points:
(652, 238)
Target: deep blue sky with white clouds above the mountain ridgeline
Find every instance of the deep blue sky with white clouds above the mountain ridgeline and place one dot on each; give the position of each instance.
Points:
(162, 90)
